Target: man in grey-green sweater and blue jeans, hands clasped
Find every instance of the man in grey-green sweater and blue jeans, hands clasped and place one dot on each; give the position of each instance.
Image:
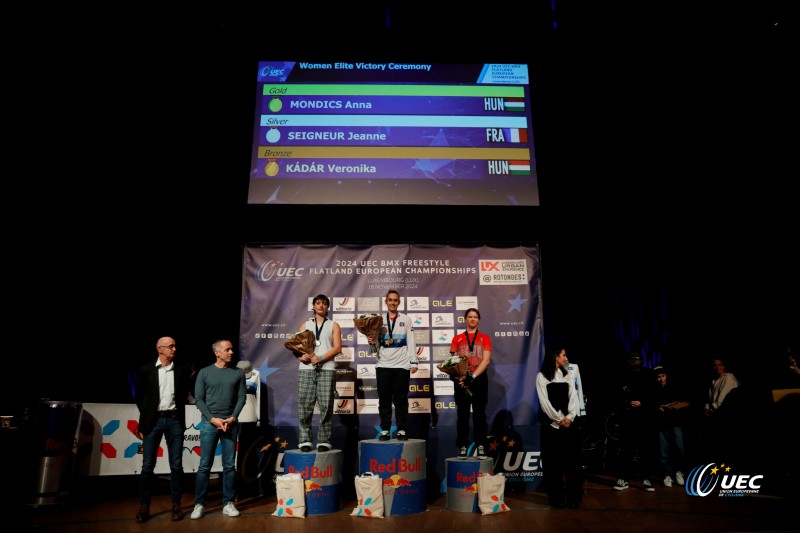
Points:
(220, 396)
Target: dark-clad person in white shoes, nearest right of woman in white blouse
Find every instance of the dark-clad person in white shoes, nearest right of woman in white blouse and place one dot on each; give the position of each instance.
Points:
(635, 392)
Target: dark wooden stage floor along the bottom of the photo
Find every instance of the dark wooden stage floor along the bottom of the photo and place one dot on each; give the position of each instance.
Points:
(110, 504)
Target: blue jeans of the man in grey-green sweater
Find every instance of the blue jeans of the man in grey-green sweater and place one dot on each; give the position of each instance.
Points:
(210, 436)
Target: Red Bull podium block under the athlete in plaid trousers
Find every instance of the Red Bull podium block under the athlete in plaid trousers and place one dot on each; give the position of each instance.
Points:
(321, 473)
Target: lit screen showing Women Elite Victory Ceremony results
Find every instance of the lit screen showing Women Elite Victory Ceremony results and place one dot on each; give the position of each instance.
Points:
(365, 133)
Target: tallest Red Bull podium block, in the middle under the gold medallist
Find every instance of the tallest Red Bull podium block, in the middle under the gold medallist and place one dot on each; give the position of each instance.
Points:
(401, 465)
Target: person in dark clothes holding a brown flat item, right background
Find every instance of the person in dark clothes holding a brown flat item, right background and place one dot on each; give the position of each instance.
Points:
(671, 408)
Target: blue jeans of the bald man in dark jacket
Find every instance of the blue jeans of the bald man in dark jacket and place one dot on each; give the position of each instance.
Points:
(171, 429)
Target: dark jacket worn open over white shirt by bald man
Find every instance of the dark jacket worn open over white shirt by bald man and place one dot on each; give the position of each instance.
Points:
(147, 395)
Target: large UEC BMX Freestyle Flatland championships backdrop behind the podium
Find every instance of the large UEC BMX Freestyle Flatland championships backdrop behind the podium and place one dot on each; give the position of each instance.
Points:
(437, 284)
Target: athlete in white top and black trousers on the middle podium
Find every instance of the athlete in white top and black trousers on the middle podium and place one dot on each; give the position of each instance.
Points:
(396, 361)
